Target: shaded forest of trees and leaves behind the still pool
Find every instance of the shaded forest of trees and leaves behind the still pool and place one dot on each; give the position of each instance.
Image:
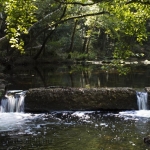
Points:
(58, 30)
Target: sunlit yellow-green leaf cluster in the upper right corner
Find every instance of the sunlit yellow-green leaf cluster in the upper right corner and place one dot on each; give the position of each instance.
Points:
(130, 19)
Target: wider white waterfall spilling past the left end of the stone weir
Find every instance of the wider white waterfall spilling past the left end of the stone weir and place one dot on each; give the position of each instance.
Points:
(13, 101)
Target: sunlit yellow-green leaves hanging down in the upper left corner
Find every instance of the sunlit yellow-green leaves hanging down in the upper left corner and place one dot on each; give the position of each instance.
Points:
(20, 16)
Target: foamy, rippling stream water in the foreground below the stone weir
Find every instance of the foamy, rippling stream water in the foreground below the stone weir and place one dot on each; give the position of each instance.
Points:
(80, 130)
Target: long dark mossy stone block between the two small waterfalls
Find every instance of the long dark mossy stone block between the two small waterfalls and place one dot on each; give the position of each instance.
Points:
(42, 99)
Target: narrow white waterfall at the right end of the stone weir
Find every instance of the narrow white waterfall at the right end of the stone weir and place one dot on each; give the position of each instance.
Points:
(142, 100)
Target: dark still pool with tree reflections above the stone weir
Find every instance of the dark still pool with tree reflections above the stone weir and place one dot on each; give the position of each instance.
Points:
(25, 77)
